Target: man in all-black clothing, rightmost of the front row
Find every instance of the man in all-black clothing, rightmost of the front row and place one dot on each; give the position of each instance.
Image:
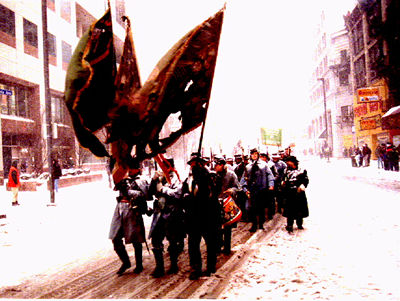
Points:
(202, 215)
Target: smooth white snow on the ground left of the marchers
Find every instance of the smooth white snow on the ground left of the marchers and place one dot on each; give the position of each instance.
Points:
(35, 237)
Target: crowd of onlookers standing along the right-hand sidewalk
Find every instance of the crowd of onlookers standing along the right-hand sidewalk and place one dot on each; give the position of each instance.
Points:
(387, 156)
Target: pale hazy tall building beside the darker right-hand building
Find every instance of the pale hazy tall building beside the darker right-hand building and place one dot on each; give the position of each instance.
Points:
(330, 132)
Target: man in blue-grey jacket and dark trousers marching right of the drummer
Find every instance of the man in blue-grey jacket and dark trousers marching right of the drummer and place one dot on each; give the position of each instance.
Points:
(257, 178)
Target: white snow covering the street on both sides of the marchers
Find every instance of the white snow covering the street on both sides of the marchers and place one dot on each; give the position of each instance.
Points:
(349, 250)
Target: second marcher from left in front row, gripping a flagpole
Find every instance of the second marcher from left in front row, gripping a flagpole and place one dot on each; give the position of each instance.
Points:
(168, 220)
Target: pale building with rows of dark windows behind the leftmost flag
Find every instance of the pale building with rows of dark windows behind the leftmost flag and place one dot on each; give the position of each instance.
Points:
(24, 128)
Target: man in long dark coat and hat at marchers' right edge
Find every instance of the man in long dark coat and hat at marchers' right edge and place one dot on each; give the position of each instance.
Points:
(295, 205)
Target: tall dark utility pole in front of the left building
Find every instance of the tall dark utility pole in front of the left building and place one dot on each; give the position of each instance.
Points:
(47, 99)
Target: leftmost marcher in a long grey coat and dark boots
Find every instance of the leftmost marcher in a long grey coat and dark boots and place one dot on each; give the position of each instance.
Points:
(127, 222)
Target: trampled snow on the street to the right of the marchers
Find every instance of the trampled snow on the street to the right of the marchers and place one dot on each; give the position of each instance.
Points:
(349, 250)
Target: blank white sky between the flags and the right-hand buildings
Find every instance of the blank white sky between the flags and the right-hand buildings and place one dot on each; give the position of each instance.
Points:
(263, 62)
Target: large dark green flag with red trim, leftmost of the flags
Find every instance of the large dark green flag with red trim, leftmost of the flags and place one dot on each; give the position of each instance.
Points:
(89, 85)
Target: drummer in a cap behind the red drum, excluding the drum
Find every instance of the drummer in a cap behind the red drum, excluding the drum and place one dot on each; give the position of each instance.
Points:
(227, 184)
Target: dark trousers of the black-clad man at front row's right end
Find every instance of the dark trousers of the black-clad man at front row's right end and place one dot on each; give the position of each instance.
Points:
(194, 240)
